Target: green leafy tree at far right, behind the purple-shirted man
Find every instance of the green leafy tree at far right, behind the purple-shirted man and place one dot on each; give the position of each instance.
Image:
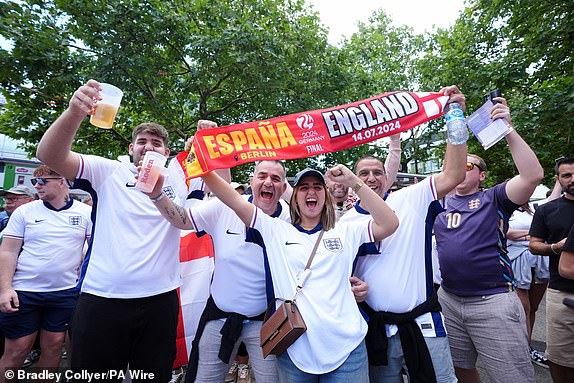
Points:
(525, 48)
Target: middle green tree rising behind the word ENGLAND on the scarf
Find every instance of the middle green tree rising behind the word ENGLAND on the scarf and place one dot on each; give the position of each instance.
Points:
(379, 58)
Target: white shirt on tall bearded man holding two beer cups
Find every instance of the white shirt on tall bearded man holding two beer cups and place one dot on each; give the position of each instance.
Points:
(134, 251)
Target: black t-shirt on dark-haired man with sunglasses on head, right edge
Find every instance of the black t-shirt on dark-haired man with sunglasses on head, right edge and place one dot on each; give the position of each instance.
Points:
(552, 222)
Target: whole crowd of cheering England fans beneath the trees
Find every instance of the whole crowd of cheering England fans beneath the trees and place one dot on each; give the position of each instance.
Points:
(372, 305)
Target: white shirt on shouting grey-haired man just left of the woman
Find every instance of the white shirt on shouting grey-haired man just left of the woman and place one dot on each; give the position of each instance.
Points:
(238, 283)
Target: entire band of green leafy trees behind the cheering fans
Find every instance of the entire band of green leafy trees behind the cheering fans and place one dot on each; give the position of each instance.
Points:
(236, 61)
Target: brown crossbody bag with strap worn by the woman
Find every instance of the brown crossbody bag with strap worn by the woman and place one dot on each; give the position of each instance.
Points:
(286, 325)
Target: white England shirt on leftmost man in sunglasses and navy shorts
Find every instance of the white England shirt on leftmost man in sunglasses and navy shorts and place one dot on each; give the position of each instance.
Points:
(52, 244)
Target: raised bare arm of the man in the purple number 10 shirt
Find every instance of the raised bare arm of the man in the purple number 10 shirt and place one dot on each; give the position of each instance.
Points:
(530, 172)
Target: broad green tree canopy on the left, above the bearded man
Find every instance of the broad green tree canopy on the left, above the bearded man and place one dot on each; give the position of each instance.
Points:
(177, 62)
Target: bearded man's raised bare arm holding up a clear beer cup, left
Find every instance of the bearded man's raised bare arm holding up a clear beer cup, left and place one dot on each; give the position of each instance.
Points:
(55, 148)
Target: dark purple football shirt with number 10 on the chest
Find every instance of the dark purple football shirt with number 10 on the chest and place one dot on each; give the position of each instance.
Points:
(471, 243)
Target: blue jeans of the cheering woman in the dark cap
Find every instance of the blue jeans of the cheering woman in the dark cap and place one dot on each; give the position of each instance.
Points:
(355, 369)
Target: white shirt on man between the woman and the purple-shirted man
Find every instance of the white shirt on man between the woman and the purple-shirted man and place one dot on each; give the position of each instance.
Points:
(400, 277)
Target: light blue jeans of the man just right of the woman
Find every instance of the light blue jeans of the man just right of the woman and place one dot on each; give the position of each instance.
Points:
(391, 373)
